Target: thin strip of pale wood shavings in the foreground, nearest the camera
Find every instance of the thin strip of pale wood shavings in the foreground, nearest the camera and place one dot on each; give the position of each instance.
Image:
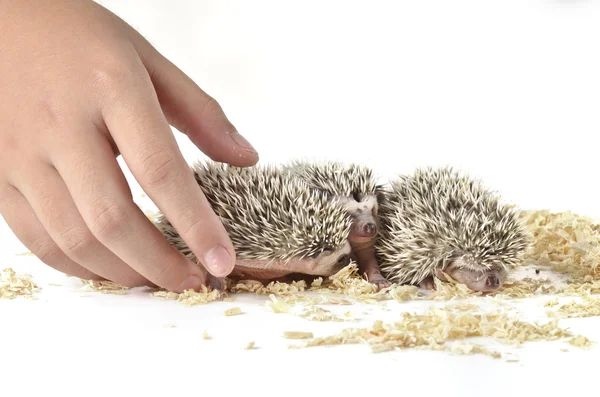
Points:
(438, 326)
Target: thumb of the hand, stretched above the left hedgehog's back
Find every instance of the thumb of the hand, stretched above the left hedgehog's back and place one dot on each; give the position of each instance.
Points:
(192, 111)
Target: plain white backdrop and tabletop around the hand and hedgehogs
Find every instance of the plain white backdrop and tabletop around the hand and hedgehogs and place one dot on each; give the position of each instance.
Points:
(507, 90)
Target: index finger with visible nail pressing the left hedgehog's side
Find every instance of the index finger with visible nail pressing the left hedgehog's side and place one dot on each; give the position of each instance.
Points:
(148, 146)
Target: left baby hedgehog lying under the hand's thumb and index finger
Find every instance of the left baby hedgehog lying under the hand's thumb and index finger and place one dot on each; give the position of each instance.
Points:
(278, 226)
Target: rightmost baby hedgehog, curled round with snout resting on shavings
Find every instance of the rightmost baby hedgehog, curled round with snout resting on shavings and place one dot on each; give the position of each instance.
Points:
(438, 221)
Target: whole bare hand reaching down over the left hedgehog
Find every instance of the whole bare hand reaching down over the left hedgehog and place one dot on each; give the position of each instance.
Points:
(79, 87)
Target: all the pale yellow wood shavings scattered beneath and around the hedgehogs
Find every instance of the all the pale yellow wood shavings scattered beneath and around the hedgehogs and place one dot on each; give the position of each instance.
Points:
(566, 247)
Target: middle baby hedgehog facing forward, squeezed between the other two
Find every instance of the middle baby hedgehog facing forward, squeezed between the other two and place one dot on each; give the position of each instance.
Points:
(354, 187)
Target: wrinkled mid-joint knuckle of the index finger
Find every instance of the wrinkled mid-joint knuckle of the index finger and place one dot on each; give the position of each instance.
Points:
(159, 169)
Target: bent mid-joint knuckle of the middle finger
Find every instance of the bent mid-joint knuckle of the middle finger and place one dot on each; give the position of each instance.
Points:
(108, 218)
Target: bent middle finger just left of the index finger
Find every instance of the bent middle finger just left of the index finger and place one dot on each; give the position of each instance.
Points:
(101, 194)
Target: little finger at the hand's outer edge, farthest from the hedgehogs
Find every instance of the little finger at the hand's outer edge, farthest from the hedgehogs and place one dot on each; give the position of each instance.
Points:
(23, 222)
